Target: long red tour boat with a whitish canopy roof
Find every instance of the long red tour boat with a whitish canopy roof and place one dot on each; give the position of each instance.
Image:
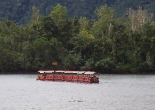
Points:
(68, 76)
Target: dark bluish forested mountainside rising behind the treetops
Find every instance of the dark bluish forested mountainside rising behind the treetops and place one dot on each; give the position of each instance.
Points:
(21, 10)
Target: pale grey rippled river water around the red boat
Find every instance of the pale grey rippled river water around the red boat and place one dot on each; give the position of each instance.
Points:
(114, 92)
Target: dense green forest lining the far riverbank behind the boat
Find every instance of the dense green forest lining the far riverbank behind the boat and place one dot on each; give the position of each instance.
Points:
(107, 44)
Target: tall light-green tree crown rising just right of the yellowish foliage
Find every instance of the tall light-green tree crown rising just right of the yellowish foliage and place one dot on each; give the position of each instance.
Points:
(102, 27)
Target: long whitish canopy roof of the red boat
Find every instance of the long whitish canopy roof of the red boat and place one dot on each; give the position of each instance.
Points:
(66, 72)
